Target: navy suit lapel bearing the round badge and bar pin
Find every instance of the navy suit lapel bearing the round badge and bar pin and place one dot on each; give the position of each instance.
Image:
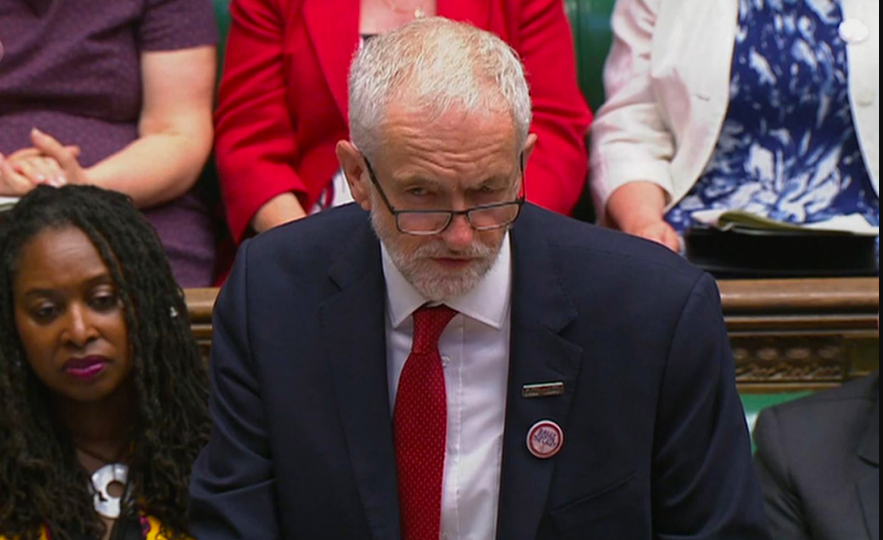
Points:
(540, 311)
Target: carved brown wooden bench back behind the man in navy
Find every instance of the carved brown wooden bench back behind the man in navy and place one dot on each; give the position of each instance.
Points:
(787, 335)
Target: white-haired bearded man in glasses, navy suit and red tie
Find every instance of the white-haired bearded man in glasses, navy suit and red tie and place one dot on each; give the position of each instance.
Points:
(442, 360)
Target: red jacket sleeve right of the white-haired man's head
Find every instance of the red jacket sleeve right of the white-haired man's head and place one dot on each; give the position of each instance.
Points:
(556, 175)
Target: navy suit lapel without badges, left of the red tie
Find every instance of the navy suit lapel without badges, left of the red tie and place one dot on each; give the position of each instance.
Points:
(359, 370)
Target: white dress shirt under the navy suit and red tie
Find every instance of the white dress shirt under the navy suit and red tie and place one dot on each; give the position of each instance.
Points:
(475, 354)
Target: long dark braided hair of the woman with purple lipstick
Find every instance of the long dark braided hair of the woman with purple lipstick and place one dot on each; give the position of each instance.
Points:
(41, 481)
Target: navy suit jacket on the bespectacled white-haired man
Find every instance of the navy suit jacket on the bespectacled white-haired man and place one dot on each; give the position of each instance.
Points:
(302, 449)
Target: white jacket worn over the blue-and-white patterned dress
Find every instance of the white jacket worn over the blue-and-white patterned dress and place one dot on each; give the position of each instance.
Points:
(668, 88)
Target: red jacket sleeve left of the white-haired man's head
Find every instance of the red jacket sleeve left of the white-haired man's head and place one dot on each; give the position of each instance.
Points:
(255, 144)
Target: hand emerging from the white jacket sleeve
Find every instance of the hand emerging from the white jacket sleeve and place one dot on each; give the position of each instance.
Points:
(637, 209)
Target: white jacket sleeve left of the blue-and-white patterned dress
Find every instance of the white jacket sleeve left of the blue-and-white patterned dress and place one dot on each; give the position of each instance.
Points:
(631, 140)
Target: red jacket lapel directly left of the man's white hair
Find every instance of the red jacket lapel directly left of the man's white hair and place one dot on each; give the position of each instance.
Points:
(333, 26)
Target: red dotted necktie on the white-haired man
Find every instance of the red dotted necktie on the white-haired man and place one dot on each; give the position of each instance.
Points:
(421, 427)
